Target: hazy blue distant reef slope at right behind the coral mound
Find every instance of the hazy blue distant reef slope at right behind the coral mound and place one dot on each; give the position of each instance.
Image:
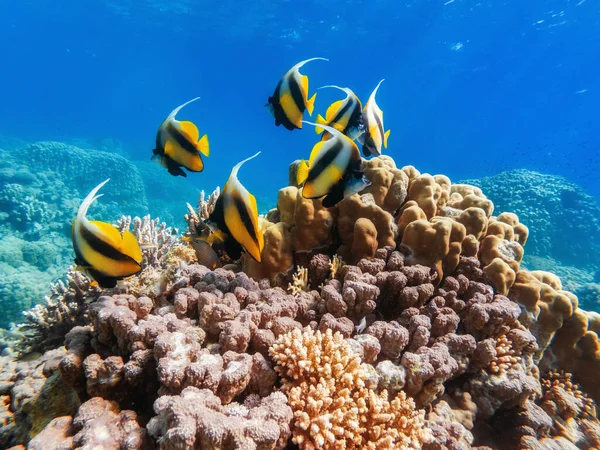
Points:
(563, 222)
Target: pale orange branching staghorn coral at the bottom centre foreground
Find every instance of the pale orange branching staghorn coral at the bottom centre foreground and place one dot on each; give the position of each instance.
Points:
(325, 385)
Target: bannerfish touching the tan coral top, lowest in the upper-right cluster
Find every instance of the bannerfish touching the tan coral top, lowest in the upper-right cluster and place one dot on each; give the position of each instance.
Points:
(334, 170)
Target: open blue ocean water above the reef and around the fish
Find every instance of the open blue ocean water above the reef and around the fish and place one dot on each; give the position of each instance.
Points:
(471, 88)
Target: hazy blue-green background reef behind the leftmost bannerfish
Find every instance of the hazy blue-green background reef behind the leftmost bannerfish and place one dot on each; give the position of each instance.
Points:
(39, 197)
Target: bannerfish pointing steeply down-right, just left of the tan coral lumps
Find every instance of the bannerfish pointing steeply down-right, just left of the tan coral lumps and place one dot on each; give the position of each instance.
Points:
(236, 215)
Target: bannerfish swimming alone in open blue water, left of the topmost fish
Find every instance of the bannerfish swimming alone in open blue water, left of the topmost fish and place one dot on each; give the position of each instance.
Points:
(177, 145)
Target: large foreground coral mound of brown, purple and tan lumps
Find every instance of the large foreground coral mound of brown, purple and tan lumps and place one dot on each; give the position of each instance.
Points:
(401, 318)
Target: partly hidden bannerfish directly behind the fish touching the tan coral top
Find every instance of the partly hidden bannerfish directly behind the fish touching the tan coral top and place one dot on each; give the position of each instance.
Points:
(343, 115)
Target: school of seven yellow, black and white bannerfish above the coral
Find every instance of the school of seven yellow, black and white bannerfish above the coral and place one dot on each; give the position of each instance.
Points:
(333, 171)
